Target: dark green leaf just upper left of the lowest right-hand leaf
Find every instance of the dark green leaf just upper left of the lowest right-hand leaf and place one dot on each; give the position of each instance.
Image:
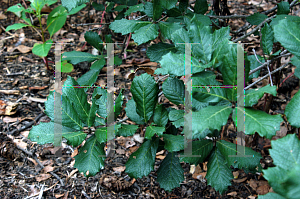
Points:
(199, 148)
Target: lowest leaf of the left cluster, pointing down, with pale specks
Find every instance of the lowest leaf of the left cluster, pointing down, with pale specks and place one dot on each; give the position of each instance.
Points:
(90, 158)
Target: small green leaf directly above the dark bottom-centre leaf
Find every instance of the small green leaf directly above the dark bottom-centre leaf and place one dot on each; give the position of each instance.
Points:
(173, 142)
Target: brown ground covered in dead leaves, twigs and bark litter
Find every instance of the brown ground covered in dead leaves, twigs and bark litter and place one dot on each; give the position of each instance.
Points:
(26, 76)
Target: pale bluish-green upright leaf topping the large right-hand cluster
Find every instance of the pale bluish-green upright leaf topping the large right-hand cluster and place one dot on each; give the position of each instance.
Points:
(201, 35)
